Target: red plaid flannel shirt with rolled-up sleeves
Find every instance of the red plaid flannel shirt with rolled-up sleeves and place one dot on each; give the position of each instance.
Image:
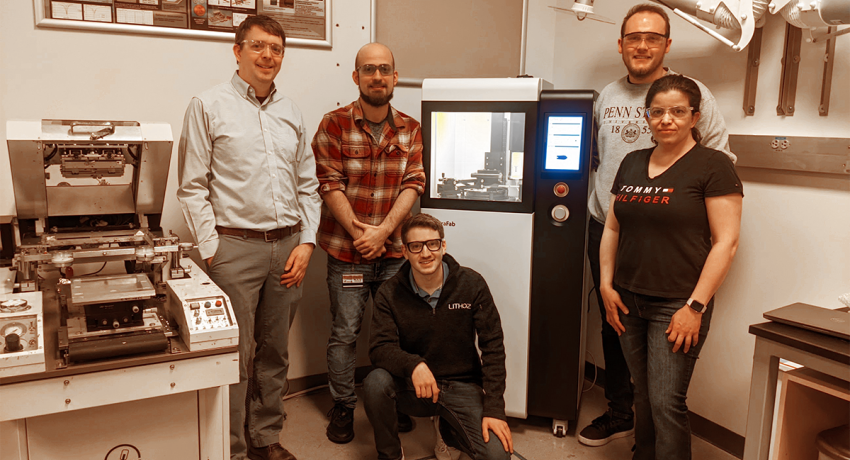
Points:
(371, 171)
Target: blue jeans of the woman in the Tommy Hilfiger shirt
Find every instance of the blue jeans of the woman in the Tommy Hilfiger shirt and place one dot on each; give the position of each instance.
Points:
(661, 377)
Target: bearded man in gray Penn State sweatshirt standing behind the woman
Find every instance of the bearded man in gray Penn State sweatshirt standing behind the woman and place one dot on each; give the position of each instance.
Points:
(622, 128)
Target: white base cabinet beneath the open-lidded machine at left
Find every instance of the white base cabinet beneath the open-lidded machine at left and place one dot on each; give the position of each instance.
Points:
(103, 416)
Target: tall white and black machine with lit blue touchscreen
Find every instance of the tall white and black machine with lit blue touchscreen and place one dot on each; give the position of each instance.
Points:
(507, 162)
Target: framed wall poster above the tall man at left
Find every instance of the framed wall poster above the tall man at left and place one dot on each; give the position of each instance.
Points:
(306, 22)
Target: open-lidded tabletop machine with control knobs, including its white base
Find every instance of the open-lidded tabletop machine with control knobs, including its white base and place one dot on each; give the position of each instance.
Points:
(94, 292)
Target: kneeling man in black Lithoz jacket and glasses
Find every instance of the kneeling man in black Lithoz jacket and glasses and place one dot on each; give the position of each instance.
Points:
(424, 327)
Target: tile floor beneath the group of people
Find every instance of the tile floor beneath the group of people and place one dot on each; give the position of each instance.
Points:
(304, 435)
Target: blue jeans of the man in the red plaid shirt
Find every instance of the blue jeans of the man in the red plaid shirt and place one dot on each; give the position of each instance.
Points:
(347, 307)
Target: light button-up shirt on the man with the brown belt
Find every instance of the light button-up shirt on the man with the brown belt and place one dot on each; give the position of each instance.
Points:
(243, 164)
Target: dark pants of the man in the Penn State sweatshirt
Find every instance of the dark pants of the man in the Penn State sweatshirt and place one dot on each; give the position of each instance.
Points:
(618, 387)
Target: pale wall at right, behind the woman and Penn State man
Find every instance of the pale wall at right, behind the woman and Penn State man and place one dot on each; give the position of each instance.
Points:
(795, 245)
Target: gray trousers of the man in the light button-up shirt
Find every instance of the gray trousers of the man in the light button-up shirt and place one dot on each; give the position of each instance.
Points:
(248, 270)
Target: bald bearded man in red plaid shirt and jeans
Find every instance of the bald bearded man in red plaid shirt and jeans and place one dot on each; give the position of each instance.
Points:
(369, 165)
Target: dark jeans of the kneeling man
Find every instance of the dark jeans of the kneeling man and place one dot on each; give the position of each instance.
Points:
(459, 407)
